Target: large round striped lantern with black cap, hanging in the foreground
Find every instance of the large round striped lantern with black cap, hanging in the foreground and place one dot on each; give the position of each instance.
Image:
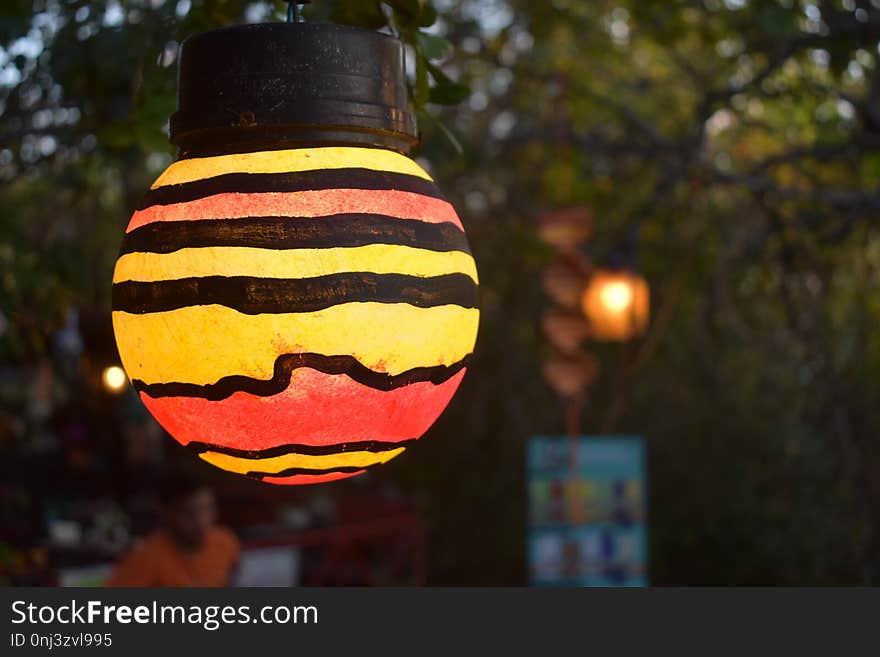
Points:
(295, 299)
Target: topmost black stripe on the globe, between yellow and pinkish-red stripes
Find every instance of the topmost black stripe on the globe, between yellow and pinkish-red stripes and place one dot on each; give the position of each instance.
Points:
(293, 181)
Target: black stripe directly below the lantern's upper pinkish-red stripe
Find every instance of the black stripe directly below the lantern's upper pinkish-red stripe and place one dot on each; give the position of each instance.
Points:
(345, 230)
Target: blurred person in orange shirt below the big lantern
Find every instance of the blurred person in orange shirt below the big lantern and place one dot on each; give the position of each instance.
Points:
(189, 549)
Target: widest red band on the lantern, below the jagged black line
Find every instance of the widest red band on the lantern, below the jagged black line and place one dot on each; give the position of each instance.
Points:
(315, 409)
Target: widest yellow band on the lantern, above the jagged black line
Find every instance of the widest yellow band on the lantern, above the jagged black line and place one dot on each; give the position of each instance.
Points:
(201, 344)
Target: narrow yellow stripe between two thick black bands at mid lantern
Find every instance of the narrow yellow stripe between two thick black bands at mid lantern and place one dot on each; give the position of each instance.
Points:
(291, 263)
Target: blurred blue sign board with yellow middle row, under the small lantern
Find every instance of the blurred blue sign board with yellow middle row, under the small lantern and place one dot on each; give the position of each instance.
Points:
(587, 511)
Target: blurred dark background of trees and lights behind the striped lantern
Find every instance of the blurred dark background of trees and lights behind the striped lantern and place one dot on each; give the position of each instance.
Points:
(729, 150)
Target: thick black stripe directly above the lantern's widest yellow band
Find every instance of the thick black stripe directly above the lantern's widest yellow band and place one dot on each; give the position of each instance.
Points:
(253, 295)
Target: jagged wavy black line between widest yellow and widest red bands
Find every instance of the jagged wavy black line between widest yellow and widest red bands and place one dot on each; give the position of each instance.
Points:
(287, 363)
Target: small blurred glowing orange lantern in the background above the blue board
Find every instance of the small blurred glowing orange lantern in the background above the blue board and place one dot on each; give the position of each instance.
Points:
(616, 303)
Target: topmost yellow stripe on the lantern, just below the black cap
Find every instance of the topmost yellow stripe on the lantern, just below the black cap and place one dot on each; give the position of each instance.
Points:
(298, 159)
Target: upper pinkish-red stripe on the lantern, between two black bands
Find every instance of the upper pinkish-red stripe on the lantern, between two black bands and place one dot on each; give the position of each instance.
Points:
(319, 203)
